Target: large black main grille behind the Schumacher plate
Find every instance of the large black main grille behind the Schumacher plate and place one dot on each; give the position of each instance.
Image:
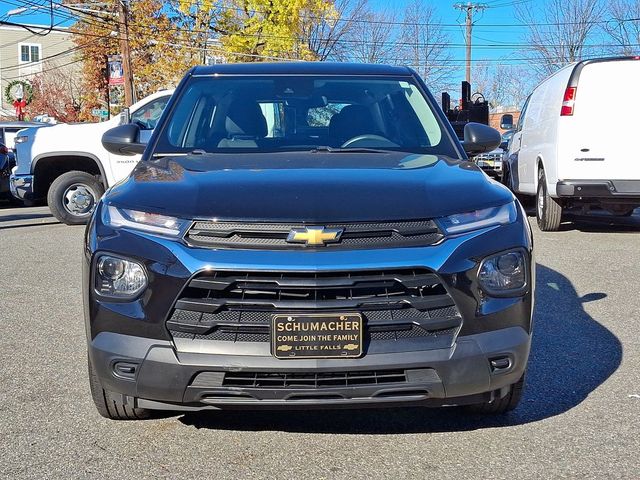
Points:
(238, 306)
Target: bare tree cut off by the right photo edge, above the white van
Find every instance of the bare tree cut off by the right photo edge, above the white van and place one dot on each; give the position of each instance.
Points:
(621, 28)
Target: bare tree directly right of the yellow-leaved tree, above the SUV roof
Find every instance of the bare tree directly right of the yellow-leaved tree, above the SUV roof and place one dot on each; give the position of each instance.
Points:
(326, 37)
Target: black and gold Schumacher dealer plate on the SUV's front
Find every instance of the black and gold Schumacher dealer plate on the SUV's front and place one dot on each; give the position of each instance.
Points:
(335, 335)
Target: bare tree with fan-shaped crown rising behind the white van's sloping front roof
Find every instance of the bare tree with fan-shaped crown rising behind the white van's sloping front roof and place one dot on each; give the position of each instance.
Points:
(558, 30)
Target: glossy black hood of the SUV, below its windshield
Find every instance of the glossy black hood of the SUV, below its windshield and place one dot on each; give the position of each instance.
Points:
(308, 187)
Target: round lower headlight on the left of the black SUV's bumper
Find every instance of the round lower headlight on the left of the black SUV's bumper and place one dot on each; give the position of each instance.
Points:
(119, 278)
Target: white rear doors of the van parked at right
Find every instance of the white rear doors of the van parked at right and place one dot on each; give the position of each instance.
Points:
(597, 141)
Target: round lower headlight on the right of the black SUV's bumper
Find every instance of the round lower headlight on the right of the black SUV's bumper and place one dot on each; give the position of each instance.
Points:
(505, 274)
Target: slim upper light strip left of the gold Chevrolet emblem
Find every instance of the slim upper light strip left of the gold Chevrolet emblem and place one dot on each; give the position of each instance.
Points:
(147, 222)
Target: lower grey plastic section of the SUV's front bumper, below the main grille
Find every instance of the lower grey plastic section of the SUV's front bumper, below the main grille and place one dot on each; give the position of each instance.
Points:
(161, 378)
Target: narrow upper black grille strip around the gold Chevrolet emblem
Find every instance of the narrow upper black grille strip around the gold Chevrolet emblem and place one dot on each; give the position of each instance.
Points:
(274, 236)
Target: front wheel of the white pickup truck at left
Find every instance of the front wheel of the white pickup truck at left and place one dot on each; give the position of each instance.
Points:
(73, 196)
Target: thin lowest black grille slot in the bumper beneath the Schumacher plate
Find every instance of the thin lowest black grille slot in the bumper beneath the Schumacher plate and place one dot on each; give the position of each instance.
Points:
(312, 380)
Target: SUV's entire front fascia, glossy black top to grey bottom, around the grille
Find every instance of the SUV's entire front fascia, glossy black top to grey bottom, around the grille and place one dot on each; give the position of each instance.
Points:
(134, 354)
